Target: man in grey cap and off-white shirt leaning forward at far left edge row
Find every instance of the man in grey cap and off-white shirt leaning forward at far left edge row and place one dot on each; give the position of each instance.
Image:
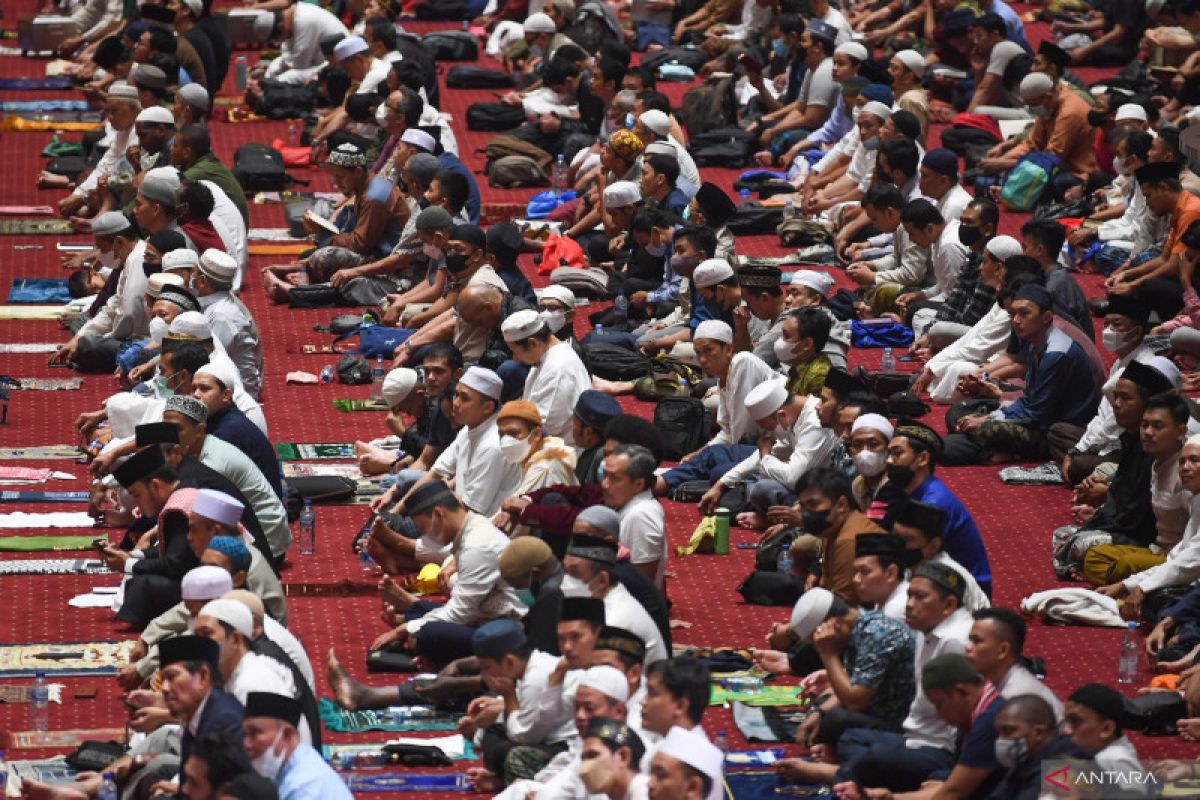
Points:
(122, 317)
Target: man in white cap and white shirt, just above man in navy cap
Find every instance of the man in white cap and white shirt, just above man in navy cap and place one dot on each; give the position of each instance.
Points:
(556, 377)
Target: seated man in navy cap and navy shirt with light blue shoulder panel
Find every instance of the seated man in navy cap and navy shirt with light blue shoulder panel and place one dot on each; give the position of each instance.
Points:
(1059, 388)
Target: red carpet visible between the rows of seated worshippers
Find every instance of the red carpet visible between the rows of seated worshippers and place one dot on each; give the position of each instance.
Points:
(1016, 522)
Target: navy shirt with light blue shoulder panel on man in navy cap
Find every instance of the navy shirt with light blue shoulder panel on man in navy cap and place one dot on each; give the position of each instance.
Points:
(1059, 386)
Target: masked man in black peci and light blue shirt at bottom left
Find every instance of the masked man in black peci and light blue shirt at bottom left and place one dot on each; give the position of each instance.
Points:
(278, 753)
